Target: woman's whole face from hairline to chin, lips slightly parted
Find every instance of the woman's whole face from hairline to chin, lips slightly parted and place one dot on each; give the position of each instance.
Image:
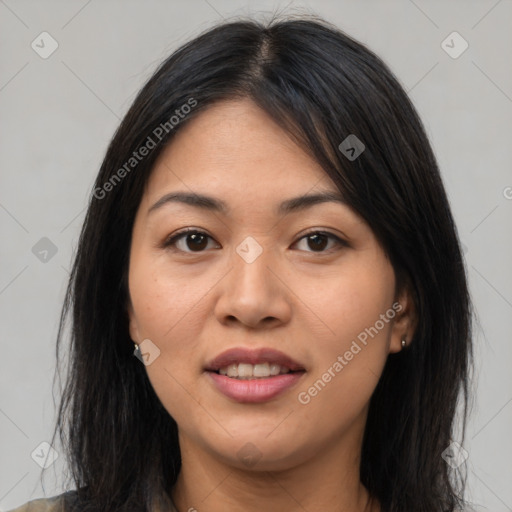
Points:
(266, 329)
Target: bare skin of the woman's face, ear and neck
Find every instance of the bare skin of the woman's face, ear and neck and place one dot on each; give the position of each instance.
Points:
(308, 303)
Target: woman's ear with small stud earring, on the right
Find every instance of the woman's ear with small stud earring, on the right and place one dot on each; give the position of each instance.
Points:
(405, 320)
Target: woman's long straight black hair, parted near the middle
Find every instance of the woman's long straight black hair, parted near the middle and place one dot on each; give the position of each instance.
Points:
(321, 86)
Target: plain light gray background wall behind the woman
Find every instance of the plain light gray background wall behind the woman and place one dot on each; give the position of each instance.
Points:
(59, 113)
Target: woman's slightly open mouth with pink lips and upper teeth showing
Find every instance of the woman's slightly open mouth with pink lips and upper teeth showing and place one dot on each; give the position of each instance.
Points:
(253, 376)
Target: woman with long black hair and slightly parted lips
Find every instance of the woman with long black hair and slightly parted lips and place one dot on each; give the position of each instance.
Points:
(269, 303)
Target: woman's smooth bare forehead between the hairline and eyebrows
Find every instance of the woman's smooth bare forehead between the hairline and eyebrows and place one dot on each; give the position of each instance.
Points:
(234, 147)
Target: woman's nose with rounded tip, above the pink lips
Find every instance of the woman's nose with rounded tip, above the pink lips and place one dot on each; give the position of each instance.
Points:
(254, 293)
